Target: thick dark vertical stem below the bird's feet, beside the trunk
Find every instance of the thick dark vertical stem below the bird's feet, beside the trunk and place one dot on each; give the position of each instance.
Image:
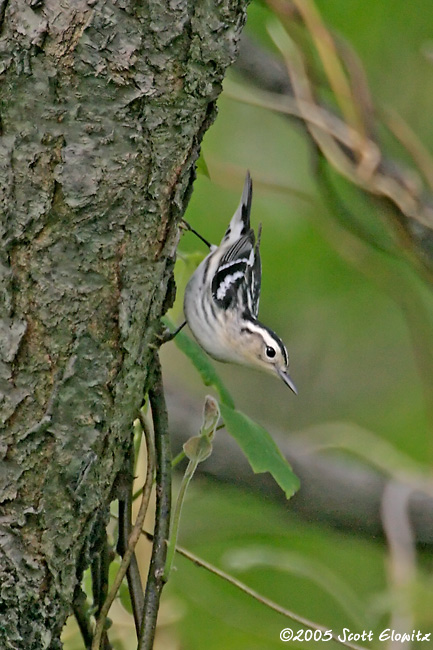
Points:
(155, 581)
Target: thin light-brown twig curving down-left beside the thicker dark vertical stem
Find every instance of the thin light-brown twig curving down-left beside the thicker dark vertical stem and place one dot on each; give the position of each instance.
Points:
(133, 539)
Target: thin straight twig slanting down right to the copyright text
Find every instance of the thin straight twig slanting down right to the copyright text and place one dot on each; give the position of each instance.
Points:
(198, 561)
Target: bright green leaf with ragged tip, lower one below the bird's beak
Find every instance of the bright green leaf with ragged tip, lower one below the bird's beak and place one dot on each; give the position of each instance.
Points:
(261, 451)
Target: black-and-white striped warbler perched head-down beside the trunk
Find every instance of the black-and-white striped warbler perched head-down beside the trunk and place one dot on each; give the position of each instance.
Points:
(222, 300)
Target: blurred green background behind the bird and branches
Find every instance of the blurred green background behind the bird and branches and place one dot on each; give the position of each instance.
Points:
(355, 338)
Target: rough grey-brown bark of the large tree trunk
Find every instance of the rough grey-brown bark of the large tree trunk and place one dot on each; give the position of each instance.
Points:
(103, 107)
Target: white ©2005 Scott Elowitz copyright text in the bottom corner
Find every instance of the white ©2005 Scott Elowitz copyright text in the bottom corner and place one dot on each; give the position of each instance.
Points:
(287, 634)
